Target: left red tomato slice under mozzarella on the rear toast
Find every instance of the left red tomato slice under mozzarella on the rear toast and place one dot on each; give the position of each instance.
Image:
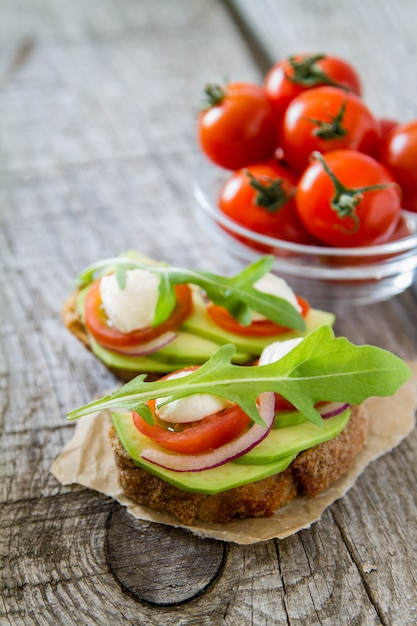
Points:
(97, 322)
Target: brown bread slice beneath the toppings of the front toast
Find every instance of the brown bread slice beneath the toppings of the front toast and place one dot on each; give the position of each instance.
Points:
(310, 473)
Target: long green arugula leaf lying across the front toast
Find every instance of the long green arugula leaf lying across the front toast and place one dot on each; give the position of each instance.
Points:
(320, 367)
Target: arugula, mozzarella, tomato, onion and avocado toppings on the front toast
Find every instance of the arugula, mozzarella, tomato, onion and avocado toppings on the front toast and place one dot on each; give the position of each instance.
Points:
(320, 376)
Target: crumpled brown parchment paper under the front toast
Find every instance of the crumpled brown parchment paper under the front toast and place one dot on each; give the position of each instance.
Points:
(88, 460)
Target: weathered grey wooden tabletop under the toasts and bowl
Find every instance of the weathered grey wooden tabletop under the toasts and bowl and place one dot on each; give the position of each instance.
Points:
(97, 119)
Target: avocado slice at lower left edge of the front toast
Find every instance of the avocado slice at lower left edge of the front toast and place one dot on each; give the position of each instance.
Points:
(209, 481)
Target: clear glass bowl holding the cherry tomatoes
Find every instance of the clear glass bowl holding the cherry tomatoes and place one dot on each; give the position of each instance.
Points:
(327, 277)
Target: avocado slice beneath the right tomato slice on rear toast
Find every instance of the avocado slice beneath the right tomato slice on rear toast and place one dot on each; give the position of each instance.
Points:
(200, 323)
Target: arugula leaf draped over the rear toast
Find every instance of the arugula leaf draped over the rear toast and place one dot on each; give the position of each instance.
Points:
(237, 293)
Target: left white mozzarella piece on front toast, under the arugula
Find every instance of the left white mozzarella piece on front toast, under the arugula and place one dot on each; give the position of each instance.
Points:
(189, 409)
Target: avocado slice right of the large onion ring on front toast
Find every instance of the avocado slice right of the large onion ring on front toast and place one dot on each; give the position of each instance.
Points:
(290, 440)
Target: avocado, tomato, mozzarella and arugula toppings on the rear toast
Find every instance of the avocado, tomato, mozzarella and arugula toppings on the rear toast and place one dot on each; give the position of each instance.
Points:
(144, 317)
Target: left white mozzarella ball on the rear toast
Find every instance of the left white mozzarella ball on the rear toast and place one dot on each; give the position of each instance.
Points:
(132, 307)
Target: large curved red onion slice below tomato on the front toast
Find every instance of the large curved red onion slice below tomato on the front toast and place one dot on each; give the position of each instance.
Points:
(228, 452)
